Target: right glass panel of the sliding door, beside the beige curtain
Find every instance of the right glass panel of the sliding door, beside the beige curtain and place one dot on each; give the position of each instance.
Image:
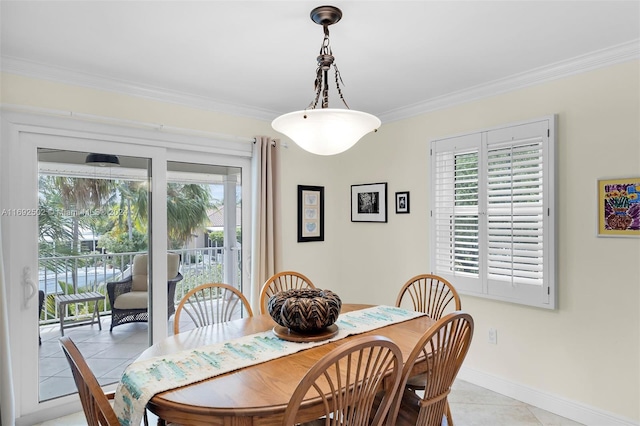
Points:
(204, 218)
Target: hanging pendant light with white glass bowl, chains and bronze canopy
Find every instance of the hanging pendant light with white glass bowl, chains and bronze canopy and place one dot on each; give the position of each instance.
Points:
(326, 131)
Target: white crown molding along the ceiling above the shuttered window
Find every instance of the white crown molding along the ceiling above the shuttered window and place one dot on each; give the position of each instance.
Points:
(617, 54)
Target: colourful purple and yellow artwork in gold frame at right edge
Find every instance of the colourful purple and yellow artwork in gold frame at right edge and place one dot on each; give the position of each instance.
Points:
(619, 207)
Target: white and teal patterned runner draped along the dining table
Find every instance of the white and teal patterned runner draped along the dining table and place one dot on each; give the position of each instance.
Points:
(141, 380)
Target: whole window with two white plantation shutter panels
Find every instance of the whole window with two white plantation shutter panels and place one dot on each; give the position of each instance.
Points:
(492, 218)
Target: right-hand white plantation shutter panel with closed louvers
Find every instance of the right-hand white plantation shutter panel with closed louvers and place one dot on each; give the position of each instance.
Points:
(516, 217)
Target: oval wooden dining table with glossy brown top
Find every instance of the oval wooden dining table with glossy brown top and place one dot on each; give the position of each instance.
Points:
(258, 394)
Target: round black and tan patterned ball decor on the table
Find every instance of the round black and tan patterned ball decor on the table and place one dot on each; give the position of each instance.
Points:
(305, 310)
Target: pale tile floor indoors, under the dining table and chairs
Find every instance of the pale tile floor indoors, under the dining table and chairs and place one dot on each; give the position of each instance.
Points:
(471, 405)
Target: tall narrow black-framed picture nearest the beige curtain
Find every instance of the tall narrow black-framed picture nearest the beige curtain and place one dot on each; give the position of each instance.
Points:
(310, 213)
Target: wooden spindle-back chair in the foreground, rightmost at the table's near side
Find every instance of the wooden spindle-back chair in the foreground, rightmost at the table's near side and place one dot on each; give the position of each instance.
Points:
(442, 349)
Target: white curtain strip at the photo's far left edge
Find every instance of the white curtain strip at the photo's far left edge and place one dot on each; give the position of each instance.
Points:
(7, 406)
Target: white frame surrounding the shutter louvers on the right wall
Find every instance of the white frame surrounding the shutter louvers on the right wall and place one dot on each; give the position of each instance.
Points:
(544, 295)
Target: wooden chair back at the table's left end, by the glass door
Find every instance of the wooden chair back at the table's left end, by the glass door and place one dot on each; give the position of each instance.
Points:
(95, 403)
